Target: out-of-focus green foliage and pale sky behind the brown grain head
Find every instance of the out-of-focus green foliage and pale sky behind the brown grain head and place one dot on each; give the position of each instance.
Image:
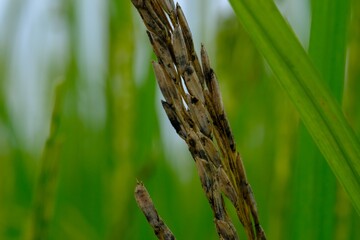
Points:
(76, 181)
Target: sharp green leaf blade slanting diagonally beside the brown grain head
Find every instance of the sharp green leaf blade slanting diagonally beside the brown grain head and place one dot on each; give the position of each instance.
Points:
(295, 72)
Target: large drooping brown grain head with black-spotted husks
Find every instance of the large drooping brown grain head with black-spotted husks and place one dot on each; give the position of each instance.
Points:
(194, 107)
